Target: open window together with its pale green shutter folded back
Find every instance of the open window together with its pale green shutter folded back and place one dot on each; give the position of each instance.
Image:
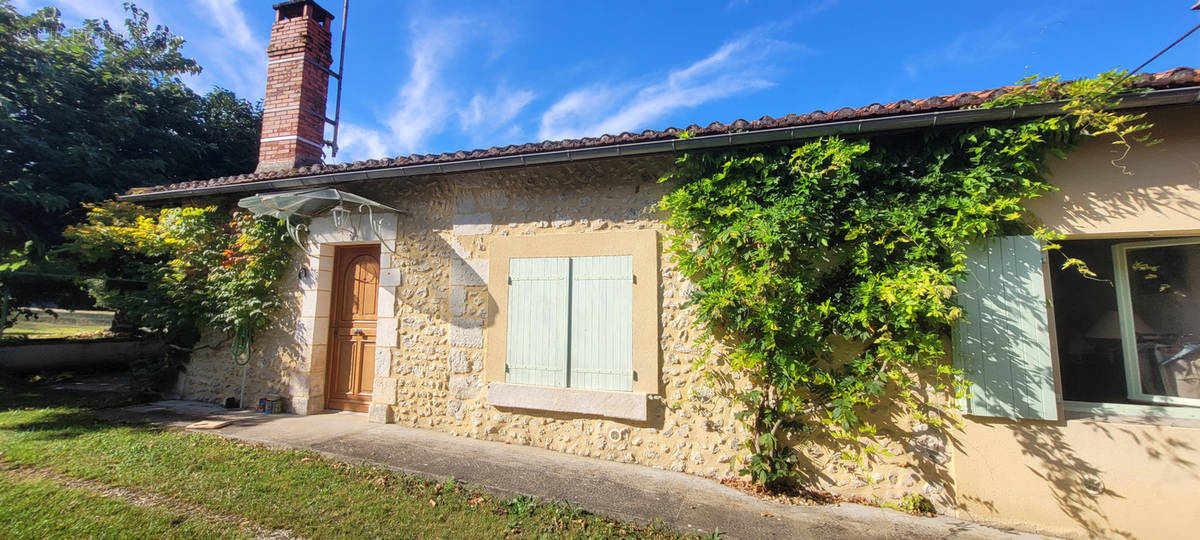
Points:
(1037, 335)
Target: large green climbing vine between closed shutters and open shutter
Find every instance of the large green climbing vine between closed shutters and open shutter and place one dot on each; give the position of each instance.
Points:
(856, 244)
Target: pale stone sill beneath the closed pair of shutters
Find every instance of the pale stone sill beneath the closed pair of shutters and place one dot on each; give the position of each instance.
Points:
(627, 406)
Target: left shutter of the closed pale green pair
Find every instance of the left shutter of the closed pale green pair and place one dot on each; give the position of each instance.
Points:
(539, 307)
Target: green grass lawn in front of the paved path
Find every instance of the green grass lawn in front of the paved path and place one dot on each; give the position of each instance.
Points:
(296, 491)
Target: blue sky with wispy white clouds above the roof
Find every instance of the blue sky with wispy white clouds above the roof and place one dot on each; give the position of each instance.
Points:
(431, 77)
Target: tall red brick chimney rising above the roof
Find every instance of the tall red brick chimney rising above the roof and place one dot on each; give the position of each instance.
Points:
(297, 85)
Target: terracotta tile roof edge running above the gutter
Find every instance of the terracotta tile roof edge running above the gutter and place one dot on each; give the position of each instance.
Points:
(1174, 79)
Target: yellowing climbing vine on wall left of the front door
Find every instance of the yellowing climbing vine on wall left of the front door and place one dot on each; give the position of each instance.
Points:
(179, 272)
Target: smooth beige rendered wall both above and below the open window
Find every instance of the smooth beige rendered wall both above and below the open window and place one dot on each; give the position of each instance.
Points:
(1100, 477)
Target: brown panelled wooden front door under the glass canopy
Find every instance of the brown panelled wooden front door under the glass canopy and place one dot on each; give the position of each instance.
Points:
(352, 319)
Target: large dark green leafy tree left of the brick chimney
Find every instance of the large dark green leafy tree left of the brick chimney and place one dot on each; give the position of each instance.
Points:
(88, 112)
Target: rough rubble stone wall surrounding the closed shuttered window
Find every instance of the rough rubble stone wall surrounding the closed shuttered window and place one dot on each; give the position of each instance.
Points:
(433, 377)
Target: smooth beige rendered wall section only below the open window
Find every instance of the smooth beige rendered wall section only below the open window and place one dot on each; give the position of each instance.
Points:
(1083, 478)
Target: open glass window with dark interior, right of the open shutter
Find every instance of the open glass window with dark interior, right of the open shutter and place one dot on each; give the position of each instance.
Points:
(1130, 333)
